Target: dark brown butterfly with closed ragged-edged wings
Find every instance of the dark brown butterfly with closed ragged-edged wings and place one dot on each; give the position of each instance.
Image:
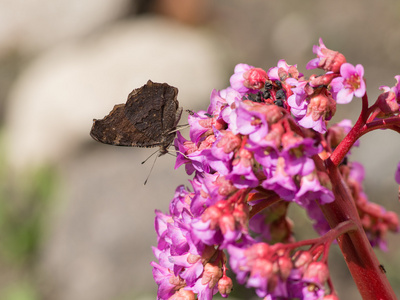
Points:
(148, 119)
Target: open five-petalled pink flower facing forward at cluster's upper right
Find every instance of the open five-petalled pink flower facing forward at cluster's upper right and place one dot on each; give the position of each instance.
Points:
(350, 84)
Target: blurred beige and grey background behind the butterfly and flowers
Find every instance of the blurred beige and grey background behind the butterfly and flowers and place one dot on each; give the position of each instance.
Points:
(76, 221)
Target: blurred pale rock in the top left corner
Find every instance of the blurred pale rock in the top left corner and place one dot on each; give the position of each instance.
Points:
(37, 24)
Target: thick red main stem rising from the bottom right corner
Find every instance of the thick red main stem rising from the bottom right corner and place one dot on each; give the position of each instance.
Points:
(355, 246)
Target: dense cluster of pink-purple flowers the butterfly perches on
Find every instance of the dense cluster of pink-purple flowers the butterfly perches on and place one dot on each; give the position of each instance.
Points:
(253, 152)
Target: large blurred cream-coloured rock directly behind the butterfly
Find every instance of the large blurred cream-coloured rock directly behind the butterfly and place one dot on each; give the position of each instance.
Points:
(52, 104)
